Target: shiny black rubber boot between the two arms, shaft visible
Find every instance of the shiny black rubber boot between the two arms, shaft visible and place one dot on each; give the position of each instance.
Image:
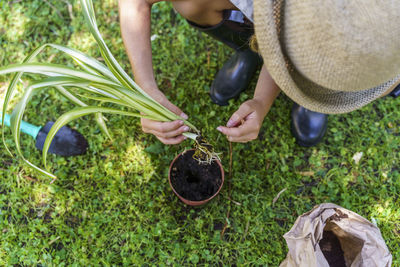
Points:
(234, 77)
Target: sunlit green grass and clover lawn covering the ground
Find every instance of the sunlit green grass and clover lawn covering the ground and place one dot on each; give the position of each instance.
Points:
(113, 206)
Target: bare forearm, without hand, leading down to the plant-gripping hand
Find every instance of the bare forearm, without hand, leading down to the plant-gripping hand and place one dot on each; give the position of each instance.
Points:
(135, 30)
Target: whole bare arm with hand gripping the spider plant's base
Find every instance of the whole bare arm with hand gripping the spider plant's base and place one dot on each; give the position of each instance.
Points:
(135, 16)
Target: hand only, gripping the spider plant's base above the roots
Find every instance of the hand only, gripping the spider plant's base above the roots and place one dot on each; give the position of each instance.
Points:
(170, 133)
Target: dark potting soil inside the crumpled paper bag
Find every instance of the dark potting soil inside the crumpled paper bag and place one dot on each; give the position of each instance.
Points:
(330, 247)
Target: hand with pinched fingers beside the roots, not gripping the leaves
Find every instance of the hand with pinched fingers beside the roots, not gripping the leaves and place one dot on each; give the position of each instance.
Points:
(244, 125)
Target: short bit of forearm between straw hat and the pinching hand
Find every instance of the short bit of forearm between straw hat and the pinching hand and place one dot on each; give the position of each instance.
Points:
(266, 89)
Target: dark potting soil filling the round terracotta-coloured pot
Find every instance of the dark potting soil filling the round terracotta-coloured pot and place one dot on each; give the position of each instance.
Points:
(193, 180)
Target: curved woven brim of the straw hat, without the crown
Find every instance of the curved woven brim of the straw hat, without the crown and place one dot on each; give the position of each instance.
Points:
(268, 20)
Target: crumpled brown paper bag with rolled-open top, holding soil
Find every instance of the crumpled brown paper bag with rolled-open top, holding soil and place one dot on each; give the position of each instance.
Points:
(330, 233)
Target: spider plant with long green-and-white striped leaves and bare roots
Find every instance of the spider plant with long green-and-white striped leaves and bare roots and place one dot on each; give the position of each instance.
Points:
(99, 83)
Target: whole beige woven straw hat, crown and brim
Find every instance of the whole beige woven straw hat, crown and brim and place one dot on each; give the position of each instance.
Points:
(330, 56)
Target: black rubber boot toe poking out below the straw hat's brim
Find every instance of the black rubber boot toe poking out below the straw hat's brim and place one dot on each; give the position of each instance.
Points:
(308, 127)
